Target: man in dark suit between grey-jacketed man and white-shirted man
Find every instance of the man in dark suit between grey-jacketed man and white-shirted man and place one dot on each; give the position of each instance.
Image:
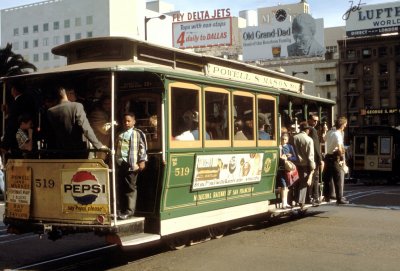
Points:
(313, 190)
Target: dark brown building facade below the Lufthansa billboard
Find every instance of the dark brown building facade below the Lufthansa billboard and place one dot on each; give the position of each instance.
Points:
(369, 76)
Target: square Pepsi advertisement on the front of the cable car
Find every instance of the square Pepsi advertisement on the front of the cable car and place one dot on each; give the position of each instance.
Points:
(85, 191)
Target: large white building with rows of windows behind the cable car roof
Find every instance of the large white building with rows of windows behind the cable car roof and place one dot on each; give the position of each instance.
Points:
(33, 30)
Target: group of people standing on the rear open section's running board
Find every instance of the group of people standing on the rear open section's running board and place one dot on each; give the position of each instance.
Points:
(301, 184)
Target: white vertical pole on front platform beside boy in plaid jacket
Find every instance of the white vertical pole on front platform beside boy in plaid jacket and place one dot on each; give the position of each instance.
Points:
(113, 175)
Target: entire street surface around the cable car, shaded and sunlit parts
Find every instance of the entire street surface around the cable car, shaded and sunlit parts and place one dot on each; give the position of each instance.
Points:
(360, 236)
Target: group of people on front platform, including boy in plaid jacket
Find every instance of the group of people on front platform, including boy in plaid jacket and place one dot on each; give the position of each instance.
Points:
(67, 131)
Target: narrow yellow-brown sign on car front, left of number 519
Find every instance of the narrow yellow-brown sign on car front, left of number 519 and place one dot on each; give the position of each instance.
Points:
(18, 192)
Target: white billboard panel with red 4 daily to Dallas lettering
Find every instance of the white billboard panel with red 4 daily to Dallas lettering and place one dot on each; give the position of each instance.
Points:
(195, 34)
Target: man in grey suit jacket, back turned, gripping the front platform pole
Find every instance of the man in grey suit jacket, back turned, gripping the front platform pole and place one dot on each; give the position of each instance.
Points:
(69, 124)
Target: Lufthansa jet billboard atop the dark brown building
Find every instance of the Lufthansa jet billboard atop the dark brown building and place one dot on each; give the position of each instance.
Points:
(371, 20)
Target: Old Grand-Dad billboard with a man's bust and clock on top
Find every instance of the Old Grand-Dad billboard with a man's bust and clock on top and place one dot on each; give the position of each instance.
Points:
(301, 37)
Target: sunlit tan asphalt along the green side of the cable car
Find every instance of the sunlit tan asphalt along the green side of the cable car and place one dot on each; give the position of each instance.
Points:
(328, 238)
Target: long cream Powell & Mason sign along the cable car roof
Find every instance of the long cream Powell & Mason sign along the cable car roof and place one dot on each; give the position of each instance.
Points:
(252, 78)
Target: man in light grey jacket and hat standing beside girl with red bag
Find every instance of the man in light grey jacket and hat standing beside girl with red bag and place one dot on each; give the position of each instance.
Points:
(304, 147)
